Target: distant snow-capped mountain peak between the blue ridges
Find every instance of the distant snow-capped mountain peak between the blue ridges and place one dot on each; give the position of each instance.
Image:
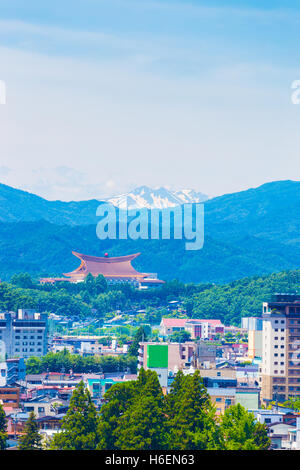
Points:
(160, 198)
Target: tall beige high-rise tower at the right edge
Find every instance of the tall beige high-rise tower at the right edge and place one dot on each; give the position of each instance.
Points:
(280, 367)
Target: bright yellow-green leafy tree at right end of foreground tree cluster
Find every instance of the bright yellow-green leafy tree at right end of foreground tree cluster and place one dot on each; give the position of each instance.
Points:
(241, 432)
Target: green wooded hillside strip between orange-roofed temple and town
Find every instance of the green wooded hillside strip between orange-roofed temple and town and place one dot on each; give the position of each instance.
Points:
(94, 297)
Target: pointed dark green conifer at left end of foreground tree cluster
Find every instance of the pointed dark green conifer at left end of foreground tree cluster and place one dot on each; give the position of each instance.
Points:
(79, 426)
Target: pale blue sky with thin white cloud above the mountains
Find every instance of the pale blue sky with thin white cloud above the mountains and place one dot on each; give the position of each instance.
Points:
(103, 96)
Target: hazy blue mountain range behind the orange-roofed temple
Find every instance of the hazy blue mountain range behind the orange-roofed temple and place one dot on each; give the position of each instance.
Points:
(248, 233)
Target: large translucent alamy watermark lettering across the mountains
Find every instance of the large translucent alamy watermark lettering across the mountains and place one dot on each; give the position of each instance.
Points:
(183, 222)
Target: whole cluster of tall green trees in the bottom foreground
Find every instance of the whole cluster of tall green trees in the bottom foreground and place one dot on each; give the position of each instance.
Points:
(137, 415)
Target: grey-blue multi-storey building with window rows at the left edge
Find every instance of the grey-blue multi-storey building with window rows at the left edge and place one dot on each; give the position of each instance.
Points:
(23, 334)
